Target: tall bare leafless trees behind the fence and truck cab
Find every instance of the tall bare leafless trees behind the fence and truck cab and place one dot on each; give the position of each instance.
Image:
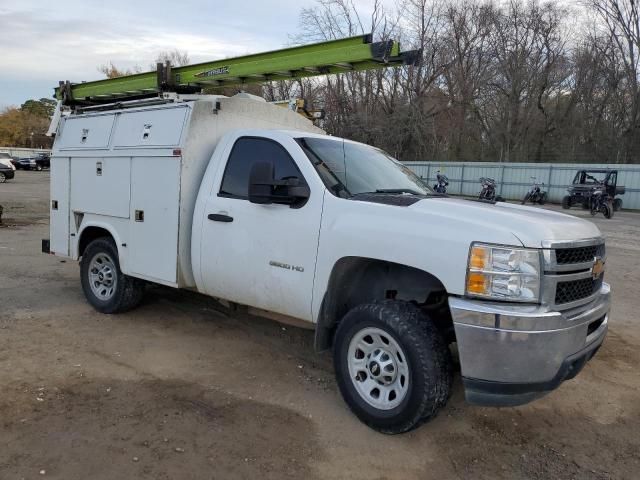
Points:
(510, 81)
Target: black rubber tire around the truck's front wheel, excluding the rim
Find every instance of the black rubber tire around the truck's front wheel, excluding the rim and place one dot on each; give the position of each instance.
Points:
(427, 355)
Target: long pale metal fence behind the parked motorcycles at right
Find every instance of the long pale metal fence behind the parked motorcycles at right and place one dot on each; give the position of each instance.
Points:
(514, 179)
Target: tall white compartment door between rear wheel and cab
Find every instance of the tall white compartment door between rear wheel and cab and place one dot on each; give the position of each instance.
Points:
(153, 234)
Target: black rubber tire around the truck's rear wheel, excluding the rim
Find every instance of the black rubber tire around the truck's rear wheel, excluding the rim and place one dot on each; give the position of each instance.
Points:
(128, 291)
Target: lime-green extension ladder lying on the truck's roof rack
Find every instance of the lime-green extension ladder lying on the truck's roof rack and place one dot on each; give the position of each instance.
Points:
(335, 56)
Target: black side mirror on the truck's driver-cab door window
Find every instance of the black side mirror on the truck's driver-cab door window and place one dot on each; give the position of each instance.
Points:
(264, 189)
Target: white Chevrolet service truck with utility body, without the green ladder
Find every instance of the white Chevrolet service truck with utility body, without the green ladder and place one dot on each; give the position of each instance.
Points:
(250, 203)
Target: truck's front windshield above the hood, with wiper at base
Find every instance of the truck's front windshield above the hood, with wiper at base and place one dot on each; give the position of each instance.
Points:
(349, 169)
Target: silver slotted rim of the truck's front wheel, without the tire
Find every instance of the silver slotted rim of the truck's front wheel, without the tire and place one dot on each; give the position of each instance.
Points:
(378, 368)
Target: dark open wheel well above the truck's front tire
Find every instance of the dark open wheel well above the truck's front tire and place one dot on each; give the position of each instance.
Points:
(357, 280)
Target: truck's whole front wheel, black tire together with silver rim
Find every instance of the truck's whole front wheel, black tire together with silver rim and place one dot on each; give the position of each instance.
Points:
(392, 365)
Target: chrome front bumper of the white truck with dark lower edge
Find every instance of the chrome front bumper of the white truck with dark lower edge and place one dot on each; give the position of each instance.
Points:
(512, 354)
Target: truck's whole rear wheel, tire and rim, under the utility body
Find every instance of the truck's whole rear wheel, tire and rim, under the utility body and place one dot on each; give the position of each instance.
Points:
(107, 289)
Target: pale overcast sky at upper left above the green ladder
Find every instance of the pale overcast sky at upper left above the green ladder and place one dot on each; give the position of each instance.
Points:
(42, 42)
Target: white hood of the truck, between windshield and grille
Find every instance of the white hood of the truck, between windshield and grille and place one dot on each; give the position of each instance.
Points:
(530, 225)
